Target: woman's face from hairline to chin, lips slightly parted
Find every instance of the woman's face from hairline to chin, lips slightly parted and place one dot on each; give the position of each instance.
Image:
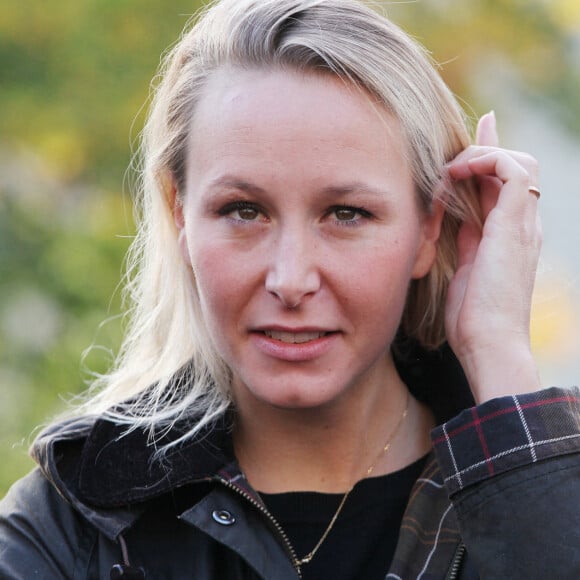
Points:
(301, 224)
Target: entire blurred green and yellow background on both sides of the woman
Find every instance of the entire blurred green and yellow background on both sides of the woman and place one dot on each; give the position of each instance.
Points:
(74, 76)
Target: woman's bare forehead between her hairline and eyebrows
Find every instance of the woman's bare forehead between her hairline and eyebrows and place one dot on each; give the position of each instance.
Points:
(304, 120)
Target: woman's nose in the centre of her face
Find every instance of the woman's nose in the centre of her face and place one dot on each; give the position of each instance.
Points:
(292, 272)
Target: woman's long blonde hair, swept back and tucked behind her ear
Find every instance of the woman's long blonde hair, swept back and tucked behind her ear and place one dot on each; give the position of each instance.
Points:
(168, 368)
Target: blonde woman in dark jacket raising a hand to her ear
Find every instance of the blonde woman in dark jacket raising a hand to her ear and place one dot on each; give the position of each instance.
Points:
(315, 227)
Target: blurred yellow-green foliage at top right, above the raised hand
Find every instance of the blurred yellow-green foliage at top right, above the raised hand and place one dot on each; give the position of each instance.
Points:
(539, 40)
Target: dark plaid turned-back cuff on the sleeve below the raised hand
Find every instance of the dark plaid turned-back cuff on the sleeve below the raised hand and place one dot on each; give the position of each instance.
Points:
(506, 433)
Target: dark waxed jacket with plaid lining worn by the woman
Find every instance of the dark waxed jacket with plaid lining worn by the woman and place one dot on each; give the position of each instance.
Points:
(499, 497)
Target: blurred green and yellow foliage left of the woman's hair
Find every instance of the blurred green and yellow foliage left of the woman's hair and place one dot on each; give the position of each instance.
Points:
(73, 78)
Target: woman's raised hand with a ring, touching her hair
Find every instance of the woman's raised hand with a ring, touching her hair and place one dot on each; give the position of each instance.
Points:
(489, 299)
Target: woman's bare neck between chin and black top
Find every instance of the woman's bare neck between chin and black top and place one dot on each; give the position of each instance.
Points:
(330, 448)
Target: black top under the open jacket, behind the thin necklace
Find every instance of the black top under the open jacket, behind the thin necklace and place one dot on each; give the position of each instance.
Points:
(362, 541)
